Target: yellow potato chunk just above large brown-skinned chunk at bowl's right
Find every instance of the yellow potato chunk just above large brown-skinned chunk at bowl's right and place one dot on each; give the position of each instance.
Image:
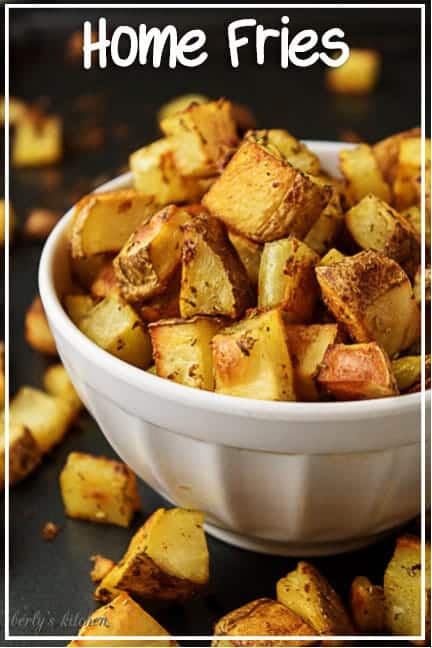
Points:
(374, 225)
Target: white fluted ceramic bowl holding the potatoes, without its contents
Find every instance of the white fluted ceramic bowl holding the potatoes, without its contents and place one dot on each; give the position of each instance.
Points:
(284, 478)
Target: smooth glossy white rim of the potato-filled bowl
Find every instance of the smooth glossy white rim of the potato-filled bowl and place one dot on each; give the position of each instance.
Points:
(196, 398)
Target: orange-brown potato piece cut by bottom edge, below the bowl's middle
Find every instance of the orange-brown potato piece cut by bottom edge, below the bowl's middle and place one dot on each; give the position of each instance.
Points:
(261, 617)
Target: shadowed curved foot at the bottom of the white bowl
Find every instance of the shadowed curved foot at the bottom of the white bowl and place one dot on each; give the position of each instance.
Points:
(293, 549)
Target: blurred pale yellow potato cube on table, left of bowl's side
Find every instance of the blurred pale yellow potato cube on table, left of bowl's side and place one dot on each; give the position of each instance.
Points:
(47, 417)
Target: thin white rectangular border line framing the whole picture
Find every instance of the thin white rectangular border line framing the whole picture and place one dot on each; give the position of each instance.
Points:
(422, 8)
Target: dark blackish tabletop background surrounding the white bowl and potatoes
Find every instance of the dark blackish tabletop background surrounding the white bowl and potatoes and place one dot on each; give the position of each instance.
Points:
(50, 581)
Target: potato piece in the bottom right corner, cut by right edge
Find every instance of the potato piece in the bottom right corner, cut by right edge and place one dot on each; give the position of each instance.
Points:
(402, 588)
